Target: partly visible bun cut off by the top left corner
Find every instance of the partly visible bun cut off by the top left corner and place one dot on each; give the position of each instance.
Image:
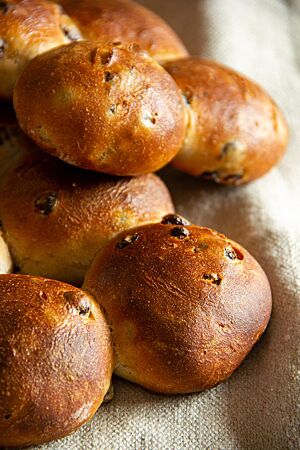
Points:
(27, 29)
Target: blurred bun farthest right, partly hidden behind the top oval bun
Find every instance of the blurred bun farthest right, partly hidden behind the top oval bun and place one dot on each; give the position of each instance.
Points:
(236, 133)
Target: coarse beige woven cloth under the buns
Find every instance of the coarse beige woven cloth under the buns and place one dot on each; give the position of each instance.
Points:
(258, 408)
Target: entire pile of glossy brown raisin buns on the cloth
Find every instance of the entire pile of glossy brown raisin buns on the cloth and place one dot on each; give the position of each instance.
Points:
(109, 93)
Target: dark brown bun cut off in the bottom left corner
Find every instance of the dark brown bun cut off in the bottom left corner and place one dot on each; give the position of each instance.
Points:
(56, 359)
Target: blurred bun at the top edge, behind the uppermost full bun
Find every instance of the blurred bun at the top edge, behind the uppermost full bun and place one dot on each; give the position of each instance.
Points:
(127, 22)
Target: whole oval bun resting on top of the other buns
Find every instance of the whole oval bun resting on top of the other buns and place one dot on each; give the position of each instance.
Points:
(108, 108)
